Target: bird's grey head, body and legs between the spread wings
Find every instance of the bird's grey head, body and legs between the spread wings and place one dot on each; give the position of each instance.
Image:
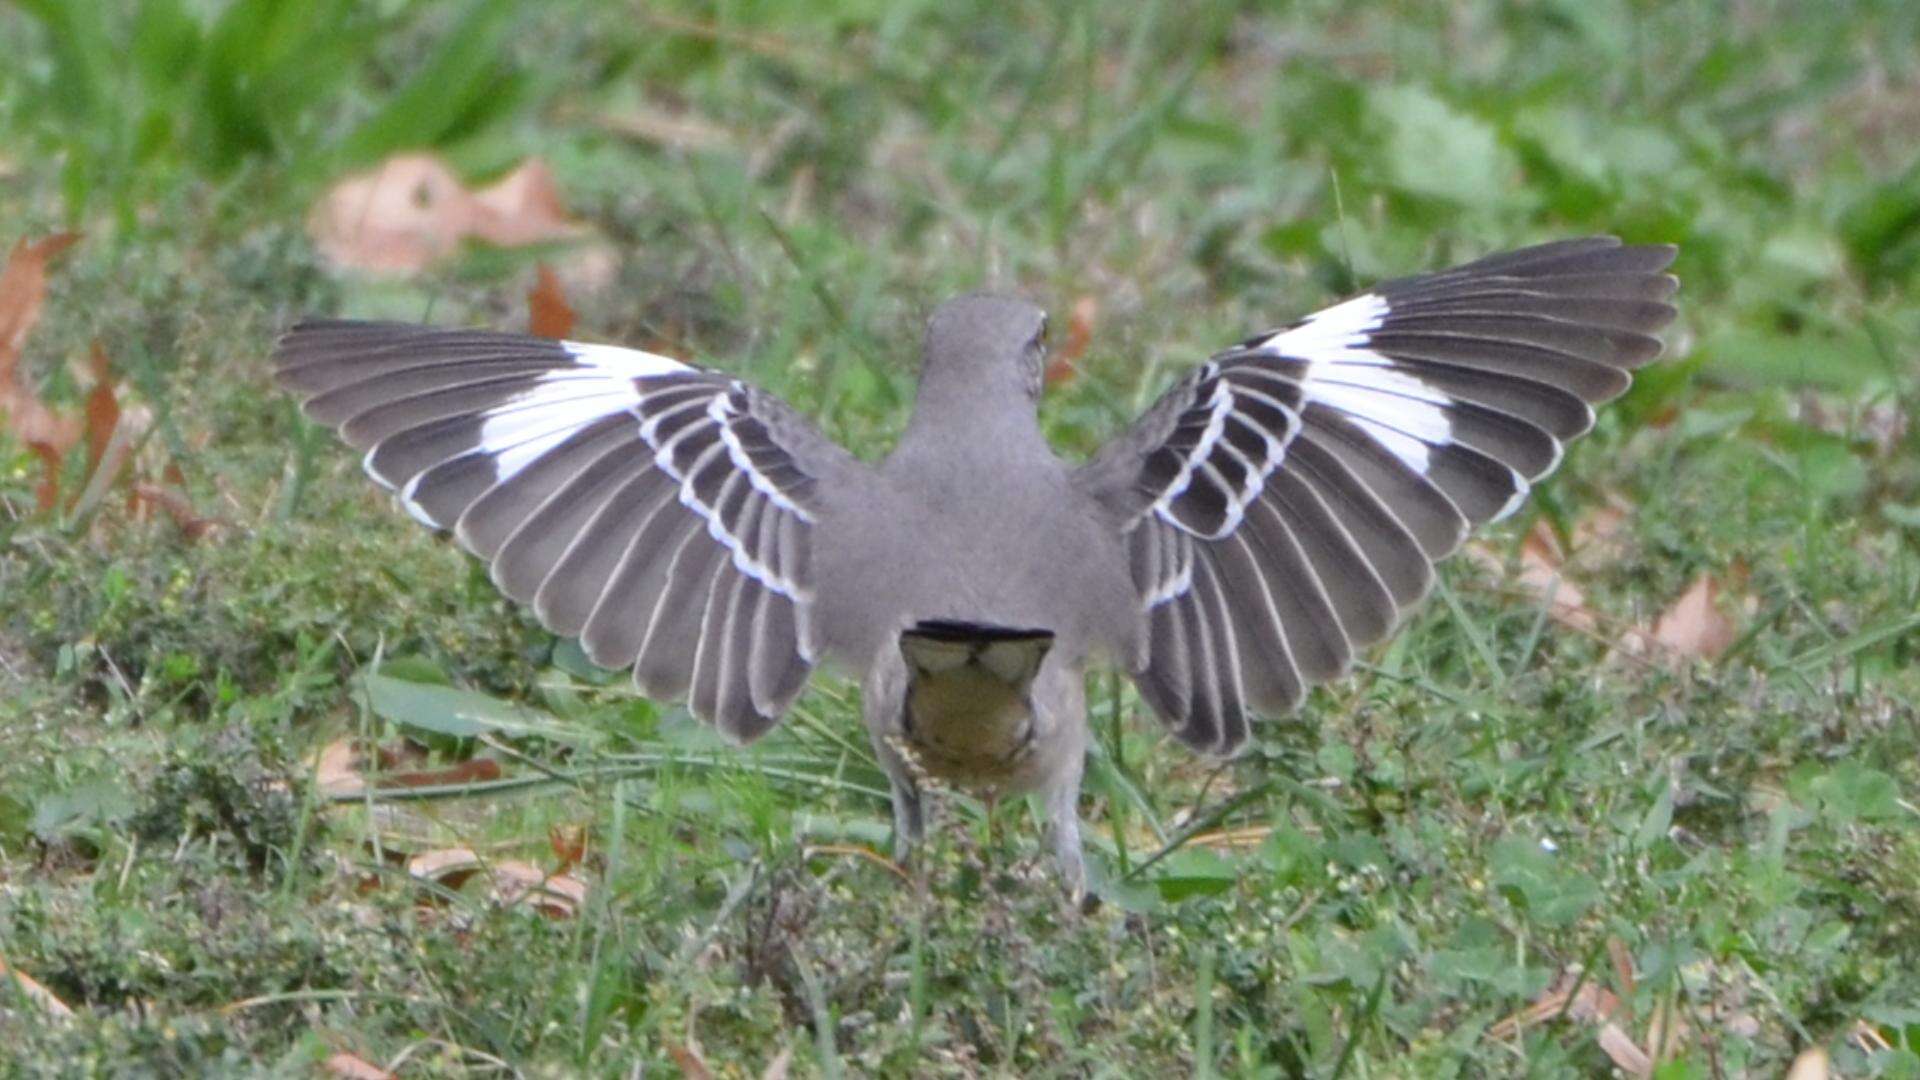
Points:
(974, 520)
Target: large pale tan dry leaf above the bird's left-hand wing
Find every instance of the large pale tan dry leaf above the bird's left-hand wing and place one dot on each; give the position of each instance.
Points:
(414, 212)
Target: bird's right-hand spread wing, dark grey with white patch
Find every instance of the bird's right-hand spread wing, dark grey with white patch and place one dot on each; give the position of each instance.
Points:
(1285, 503)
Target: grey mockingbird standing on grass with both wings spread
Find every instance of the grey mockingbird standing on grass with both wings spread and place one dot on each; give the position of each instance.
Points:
(1276, 512)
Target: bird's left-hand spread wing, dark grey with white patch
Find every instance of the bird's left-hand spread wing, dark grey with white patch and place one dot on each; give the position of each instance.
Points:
(654, 510)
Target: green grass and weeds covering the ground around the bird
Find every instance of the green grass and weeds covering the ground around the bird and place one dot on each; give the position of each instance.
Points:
(1487, 806)
